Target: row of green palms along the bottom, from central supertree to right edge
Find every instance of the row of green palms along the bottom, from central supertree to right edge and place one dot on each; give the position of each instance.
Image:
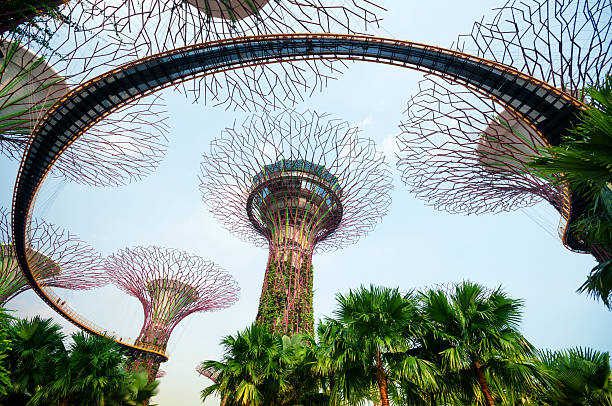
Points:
(427, 347)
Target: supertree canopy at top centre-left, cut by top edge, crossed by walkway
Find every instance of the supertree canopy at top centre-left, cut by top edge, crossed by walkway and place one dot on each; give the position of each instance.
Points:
(160, 25)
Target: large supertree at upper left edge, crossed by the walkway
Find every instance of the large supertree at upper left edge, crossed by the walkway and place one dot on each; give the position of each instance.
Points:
(39, 64)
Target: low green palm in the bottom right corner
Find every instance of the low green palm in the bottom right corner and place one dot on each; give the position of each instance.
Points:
(577, 377)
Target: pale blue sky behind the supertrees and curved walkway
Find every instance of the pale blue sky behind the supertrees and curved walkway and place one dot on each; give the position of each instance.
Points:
(414, 246)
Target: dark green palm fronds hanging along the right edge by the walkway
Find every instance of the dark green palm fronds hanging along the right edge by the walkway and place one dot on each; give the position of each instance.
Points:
(584, 160)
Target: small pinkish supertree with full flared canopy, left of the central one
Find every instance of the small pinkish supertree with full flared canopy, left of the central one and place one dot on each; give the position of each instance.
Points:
(170, 285)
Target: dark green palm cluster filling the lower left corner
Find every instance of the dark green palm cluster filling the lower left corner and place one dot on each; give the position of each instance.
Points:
(92, 371)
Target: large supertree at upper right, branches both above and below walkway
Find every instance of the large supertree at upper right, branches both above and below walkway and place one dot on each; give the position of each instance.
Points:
(465, 153)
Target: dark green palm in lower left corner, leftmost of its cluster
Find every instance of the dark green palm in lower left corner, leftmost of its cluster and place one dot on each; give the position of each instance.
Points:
(37, 347)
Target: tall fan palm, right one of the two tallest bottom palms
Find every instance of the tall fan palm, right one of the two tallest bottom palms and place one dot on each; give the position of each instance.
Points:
(483, 345)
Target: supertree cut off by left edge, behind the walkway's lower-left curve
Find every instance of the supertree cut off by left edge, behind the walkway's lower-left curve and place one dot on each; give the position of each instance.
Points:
(61, 260)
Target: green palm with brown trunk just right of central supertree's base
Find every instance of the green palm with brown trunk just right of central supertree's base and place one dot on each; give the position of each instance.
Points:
(375, 321)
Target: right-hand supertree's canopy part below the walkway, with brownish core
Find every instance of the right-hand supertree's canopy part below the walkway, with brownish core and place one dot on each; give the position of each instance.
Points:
(466, 154)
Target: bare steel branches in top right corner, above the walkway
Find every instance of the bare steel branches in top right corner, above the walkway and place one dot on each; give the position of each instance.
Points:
(566, 43)
